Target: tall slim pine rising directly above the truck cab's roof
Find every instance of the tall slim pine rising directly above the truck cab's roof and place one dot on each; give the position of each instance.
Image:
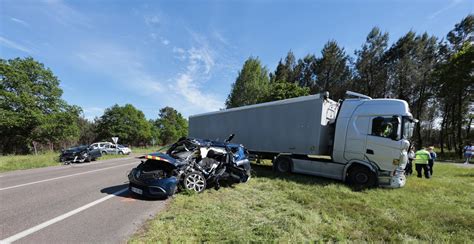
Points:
(371, 77)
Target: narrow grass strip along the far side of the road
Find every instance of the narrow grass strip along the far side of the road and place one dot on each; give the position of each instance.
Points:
(17, 162)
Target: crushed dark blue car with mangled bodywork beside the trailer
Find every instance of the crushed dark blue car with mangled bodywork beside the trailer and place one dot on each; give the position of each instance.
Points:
(190, 164)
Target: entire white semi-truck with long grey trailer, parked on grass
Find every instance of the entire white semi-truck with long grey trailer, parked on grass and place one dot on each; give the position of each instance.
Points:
(359, 140)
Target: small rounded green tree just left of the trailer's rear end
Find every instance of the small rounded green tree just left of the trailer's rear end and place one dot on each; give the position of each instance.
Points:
(171, 125)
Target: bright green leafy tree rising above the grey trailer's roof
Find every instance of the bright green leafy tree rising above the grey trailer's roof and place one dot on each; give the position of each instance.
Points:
(251, 85)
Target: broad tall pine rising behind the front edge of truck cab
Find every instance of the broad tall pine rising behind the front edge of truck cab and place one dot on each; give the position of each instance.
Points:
(411, 64)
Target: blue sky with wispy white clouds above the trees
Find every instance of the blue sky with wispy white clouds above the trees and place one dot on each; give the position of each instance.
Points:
(186, 54)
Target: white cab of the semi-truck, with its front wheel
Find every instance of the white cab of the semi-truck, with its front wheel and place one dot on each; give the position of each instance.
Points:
(373, 134)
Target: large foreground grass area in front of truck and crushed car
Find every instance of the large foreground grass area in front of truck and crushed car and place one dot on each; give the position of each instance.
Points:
(299, 208)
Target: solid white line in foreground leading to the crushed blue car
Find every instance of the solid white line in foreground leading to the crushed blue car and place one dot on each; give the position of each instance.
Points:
(59, 218)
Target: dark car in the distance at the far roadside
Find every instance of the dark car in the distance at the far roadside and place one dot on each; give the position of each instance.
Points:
(79, 154)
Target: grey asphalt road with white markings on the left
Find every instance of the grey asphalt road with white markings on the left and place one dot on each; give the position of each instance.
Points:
(86, 203)
